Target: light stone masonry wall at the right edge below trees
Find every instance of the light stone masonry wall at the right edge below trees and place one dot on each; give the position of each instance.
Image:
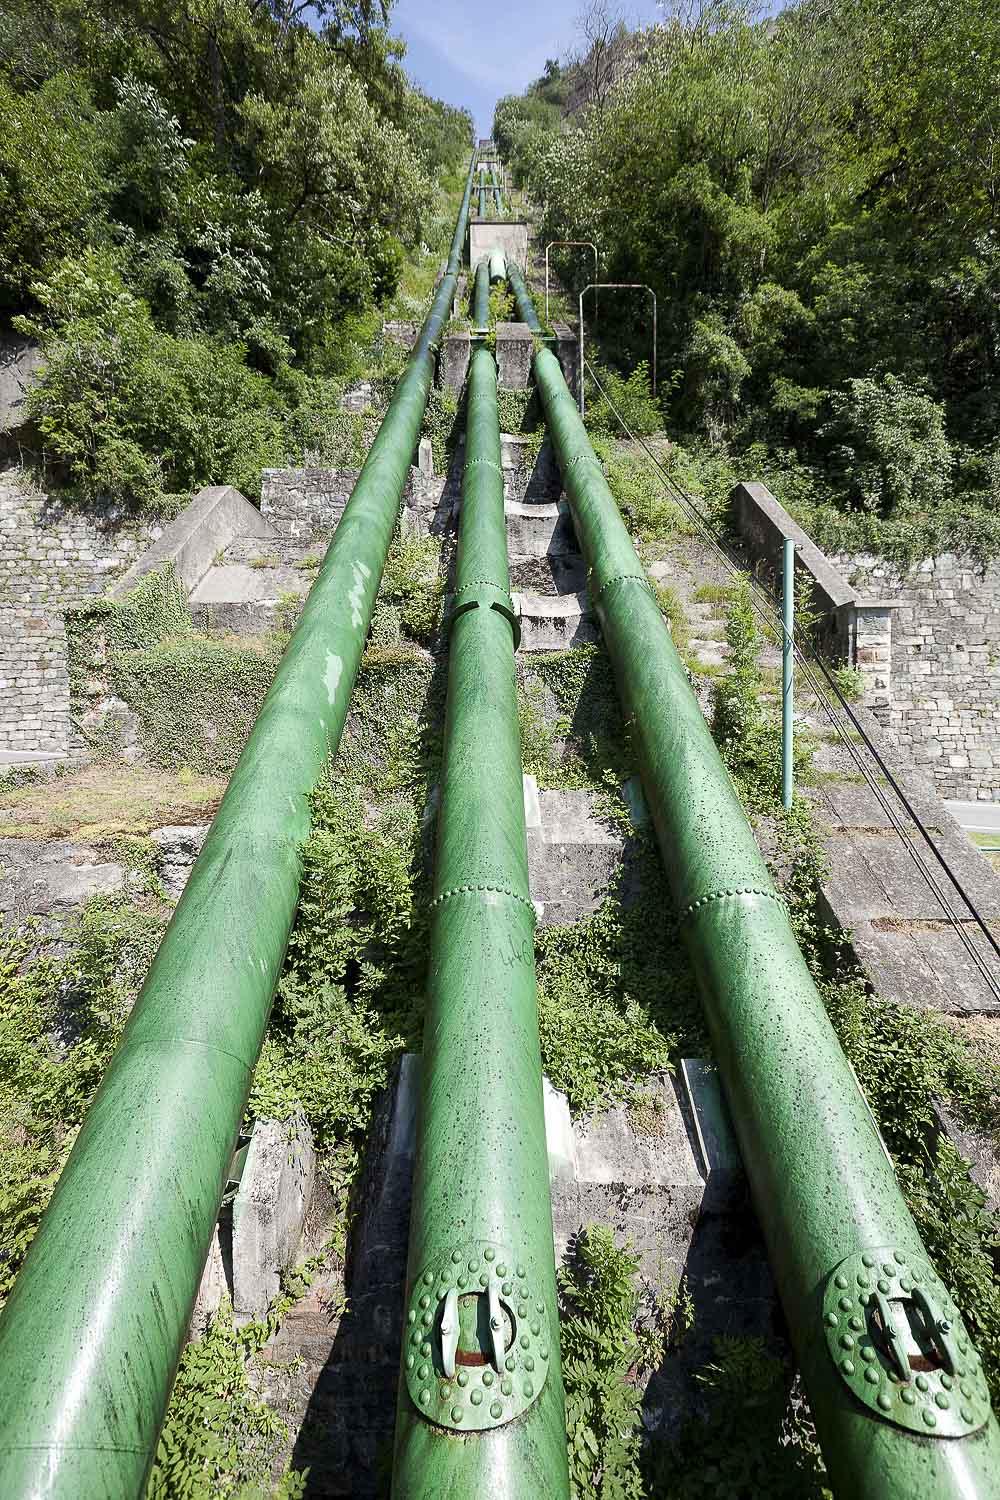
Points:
(944, 698)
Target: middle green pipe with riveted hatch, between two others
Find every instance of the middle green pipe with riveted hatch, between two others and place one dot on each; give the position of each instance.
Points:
(481, 1409)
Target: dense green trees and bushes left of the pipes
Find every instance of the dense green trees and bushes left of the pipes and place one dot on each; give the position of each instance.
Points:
(202, 208)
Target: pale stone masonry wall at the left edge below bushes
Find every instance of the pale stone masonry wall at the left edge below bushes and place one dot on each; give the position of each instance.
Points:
(52, 556)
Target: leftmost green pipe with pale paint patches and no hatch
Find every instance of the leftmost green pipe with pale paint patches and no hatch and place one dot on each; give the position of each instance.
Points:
(92, 1334)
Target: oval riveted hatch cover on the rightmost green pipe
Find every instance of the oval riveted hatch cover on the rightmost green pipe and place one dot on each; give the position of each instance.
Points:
(902, 1348)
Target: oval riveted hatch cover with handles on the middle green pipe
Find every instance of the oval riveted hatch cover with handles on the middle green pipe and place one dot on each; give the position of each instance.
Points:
(478, 1339)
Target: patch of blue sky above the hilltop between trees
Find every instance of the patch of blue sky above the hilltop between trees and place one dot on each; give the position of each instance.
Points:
(473, 55)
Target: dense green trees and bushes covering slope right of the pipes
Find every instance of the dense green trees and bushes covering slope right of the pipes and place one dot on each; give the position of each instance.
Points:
(816, 202)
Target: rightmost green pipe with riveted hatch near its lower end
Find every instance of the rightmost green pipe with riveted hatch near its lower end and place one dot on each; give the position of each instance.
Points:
(896, 1385)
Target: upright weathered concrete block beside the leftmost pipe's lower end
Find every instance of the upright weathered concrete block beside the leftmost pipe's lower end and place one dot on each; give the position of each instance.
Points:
(269, 1211)
